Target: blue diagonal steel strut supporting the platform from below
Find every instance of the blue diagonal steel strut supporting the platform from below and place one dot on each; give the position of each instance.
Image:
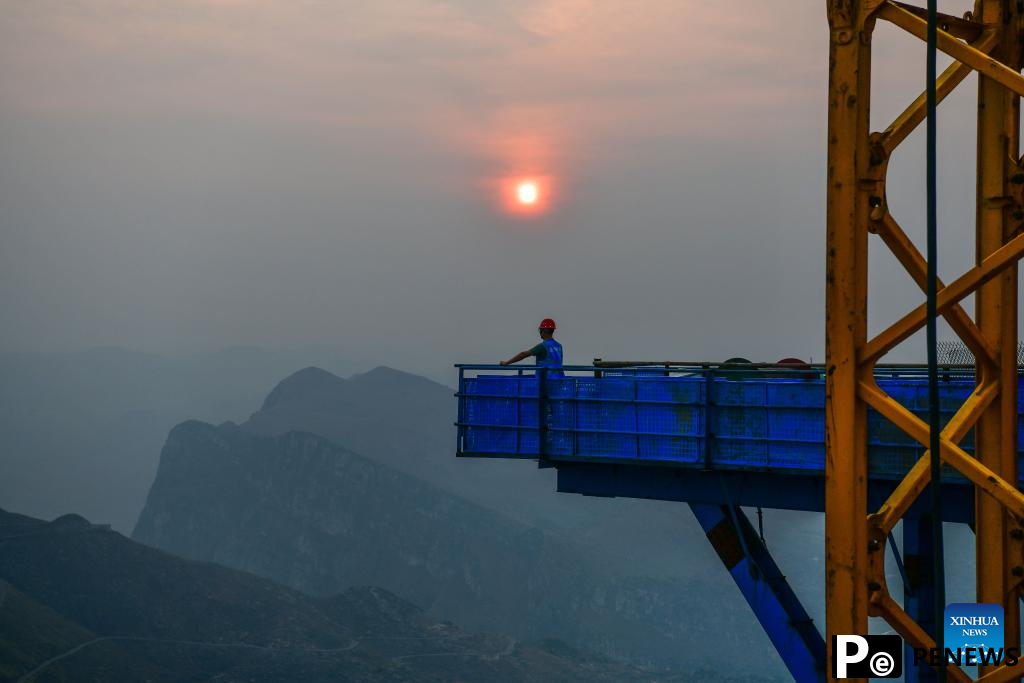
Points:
(786, 622)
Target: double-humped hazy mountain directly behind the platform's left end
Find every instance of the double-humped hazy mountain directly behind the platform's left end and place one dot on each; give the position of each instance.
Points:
(406, 422)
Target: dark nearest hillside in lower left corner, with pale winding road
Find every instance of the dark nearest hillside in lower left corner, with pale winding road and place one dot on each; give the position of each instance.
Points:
(80, 603)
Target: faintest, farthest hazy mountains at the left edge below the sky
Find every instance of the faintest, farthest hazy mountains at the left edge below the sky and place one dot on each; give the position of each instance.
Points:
(71, 424)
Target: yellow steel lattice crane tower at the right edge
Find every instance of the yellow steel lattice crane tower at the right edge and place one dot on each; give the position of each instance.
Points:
(987, 40)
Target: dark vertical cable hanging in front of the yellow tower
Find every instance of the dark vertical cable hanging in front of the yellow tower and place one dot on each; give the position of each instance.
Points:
(933, 369)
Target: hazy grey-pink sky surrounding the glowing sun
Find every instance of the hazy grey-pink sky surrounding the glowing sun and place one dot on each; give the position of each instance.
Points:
(196, 175)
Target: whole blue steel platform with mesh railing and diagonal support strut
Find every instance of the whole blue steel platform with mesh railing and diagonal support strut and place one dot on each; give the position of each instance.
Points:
(719, 440)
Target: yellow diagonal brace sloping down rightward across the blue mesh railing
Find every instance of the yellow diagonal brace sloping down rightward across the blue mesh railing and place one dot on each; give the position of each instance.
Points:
(983, 478)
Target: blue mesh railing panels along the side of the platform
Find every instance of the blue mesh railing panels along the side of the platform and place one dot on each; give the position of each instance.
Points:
(772, 418)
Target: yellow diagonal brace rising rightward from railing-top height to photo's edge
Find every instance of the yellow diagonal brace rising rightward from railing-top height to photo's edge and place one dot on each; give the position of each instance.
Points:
(997, 263)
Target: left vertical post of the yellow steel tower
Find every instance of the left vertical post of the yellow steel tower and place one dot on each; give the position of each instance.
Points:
(846, 428)
